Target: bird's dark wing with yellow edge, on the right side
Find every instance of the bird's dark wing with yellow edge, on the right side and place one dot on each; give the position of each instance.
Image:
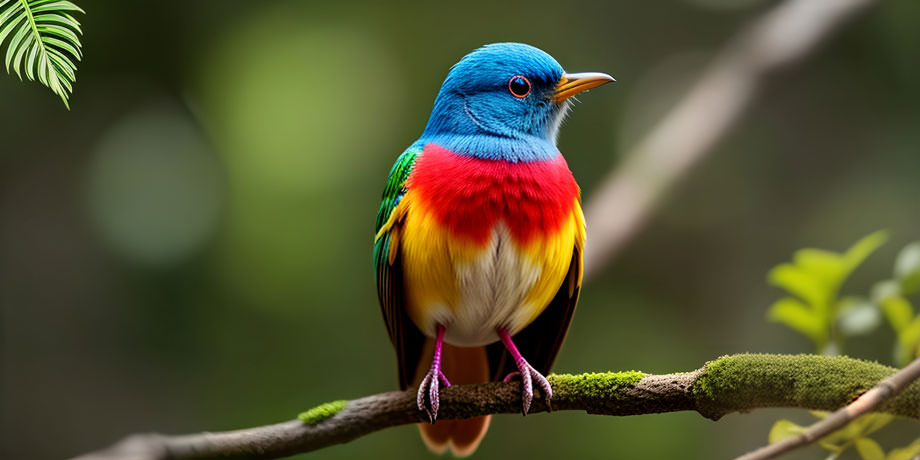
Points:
(540, 341)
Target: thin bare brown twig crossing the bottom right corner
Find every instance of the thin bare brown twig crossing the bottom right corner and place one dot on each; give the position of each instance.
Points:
(885, 390)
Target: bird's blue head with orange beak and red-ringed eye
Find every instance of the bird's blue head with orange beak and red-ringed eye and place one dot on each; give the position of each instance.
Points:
(505, 101)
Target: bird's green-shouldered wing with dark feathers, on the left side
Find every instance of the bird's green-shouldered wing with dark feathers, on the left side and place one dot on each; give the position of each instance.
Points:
(404, 335)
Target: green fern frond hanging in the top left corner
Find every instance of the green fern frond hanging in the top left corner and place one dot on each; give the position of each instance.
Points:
(43, 42)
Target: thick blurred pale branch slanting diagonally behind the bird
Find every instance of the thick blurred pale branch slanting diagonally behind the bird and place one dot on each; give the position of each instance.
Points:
(622, 204)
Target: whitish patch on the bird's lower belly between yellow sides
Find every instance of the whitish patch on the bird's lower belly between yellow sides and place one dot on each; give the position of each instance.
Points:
(493, 291)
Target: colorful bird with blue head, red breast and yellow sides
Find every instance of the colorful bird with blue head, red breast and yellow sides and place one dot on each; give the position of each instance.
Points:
(480, 235)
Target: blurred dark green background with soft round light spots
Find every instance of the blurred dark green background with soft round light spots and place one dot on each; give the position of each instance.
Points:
(189, 248)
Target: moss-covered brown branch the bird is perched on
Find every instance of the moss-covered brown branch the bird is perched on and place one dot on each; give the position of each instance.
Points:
(736, 383)
